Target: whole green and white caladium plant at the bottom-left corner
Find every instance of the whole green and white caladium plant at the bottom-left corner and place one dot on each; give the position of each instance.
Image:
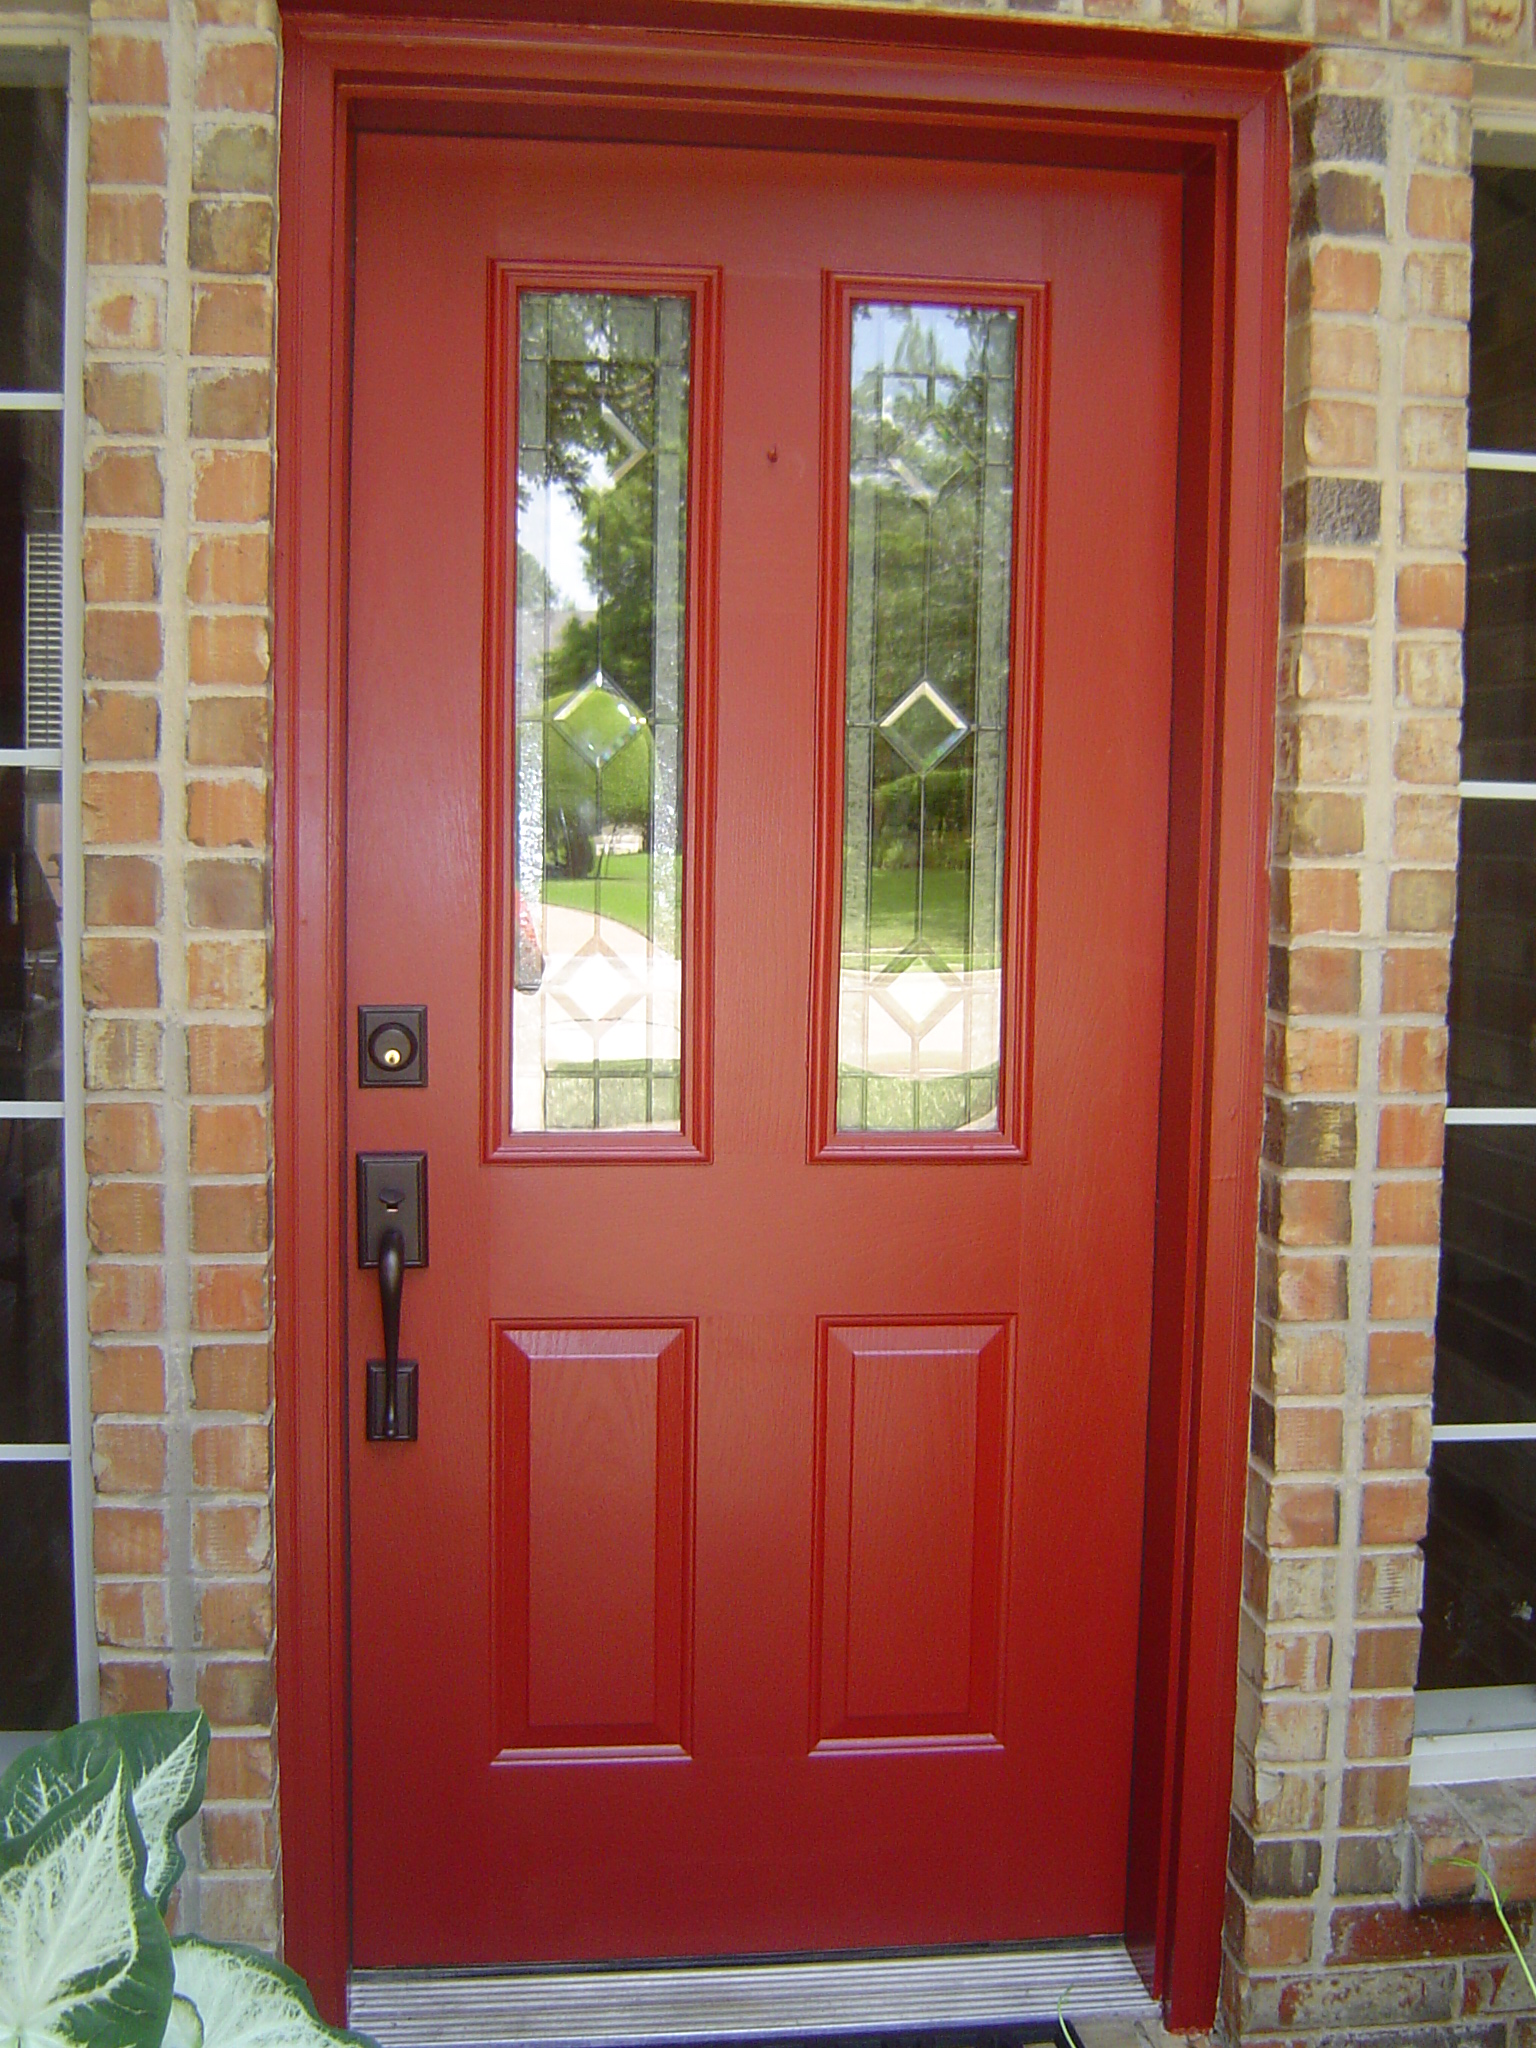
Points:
(89, 1861)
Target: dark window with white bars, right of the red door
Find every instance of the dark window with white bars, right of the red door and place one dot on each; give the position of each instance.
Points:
(1478, 1668)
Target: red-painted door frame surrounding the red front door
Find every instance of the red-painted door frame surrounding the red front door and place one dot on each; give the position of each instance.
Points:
(1205, 110)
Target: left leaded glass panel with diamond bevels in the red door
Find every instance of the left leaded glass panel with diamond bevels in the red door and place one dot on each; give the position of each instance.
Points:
(601, 654)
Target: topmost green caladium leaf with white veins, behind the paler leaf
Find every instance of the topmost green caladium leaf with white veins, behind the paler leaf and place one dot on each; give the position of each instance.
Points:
(167, 1762)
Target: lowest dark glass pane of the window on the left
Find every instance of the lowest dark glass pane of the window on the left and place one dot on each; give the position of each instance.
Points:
(36, 1598)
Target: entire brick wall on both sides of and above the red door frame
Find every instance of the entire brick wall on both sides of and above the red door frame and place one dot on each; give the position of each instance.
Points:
(179, 396)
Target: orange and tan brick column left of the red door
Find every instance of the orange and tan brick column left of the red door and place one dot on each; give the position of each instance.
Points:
(177, 632)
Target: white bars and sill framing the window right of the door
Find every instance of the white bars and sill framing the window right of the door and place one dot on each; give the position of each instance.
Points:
(1488, 1734)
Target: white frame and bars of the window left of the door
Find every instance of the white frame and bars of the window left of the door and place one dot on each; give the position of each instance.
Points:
(48, 36)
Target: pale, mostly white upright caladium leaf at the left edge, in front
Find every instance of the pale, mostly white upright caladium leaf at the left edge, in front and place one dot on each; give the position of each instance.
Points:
(85, 1959)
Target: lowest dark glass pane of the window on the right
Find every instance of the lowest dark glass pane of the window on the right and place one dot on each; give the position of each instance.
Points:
(1480, 1568)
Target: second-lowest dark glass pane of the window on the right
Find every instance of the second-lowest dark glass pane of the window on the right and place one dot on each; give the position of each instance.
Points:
(1486, 1334)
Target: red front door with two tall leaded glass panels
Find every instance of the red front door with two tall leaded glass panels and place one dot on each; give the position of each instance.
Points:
(761, 617)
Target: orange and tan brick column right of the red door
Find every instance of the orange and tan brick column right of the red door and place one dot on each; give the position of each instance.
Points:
(1318, 1938)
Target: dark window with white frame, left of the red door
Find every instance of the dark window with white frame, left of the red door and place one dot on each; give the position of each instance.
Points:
(46, 1635)
